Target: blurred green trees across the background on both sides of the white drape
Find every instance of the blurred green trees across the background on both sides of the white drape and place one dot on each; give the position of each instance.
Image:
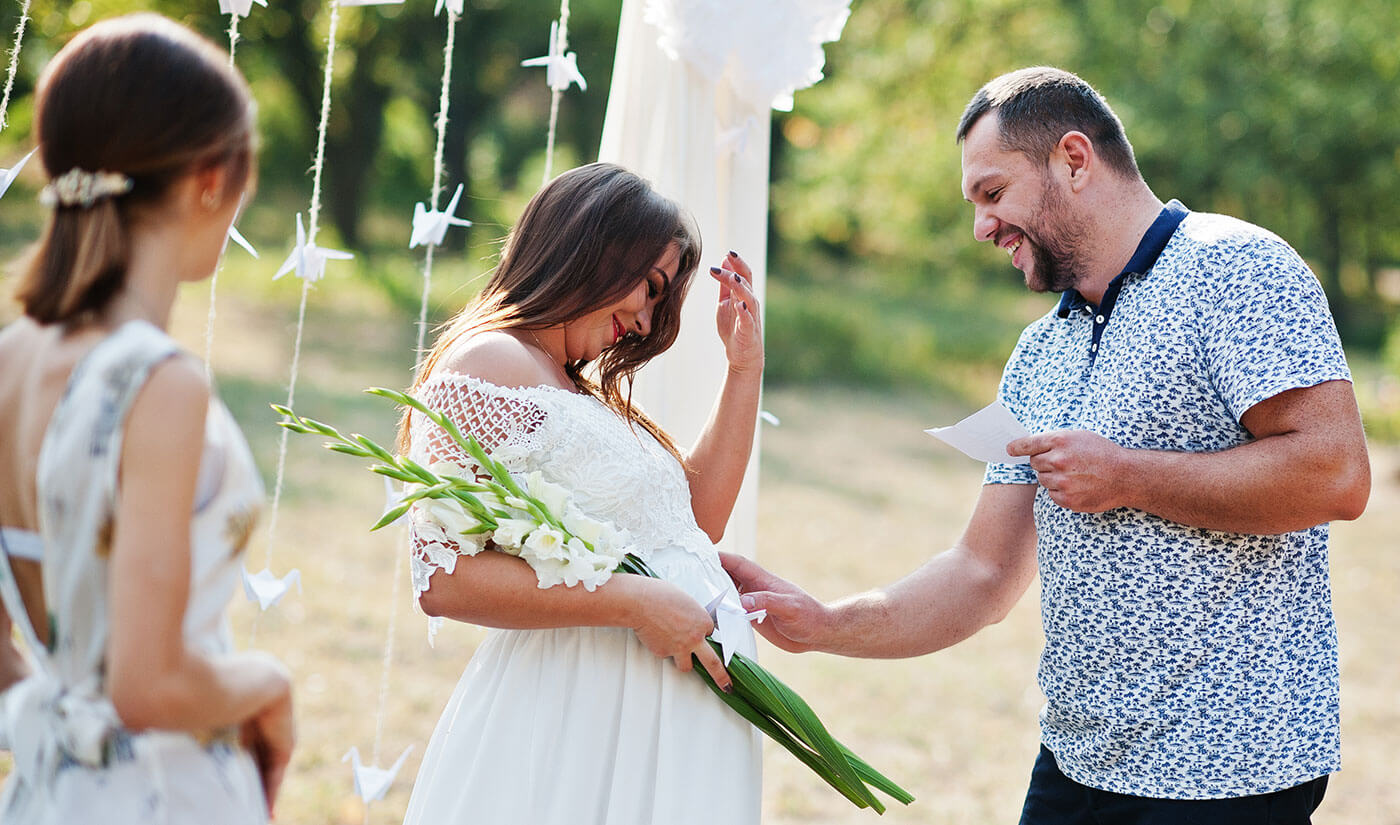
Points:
(1284, 113)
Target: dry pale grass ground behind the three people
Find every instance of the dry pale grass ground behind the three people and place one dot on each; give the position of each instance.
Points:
(853, 497)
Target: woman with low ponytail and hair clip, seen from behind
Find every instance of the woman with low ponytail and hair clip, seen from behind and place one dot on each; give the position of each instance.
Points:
(122, 478)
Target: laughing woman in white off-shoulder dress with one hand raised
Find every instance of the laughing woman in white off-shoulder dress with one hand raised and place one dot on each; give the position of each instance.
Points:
(570, 712)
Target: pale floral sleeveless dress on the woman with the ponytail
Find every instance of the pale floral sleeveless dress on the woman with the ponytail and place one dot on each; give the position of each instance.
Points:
(73, 761)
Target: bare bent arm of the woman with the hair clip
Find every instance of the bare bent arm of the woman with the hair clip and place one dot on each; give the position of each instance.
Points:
(153, 679)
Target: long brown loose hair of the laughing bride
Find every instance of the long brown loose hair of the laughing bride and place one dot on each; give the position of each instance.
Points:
(584, 242)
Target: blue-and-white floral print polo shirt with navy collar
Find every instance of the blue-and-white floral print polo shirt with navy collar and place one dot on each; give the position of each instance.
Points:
(1182, 663)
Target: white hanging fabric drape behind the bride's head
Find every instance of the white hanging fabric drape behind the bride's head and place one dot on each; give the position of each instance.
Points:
(689, 111)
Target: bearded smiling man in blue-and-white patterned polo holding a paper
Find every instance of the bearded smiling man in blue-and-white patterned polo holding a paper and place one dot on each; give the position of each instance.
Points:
(1195, 431)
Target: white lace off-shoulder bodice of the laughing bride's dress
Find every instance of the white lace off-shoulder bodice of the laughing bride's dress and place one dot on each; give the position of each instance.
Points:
(615, 473)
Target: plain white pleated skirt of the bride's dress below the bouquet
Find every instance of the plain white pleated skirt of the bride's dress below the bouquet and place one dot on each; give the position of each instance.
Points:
(584, 726)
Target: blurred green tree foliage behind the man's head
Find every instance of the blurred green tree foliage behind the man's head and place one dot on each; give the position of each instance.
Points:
(1283, 113)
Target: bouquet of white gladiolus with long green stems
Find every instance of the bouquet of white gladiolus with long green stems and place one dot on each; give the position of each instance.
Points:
(538, 522)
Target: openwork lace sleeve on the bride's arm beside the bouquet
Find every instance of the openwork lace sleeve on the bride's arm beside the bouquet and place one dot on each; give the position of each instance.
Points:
(506, 422)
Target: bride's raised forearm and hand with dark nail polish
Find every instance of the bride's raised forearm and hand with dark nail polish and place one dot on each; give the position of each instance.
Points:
(720, 457)
